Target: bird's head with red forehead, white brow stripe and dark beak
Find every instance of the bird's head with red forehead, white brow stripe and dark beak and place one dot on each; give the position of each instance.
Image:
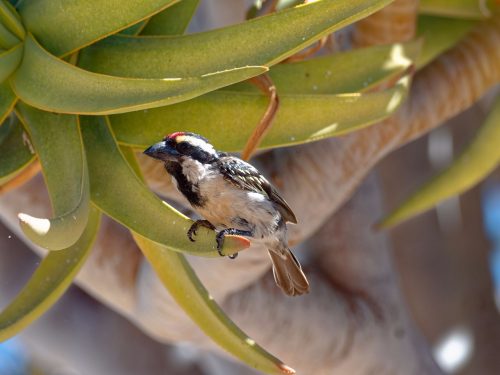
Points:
(180, 145)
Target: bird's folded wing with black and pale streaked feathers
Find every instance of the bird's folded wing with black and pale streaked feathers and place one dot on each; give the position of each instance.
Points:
(247, 177)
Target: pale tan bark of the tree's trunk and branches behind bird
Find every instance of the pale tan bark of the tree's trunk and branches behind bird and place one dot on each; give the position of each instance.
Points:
(355, 295)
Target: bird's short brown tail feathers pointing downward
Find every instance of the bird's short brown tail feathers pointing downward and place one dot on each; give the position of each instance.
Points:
(288, 273)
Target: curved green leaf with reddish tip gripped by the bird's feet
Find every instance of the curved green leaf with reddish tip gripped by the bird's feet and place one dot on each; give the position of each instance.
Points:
(119, 193)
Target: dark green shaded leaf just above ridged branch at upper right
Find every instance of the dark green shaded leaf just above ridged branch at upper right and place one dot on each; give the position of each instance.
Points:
(440, 34)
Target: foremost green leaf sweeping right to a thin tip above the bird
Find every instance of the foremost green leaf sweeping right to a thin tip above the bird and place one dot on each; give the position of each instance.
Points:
(51, 84)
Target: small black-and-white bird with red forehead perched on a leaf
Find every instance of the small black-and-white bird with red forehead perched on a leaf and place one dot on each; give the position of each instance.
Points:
(233, 198)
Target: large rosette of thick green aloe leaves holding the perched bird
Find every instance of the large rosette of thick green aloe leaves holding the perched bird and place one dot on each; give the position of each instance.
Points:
(87, 83)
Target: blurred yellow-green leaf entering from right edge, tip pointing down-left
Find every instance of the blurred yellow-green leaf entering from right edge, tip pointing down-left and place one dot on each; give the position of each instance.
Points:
(478, 159)
